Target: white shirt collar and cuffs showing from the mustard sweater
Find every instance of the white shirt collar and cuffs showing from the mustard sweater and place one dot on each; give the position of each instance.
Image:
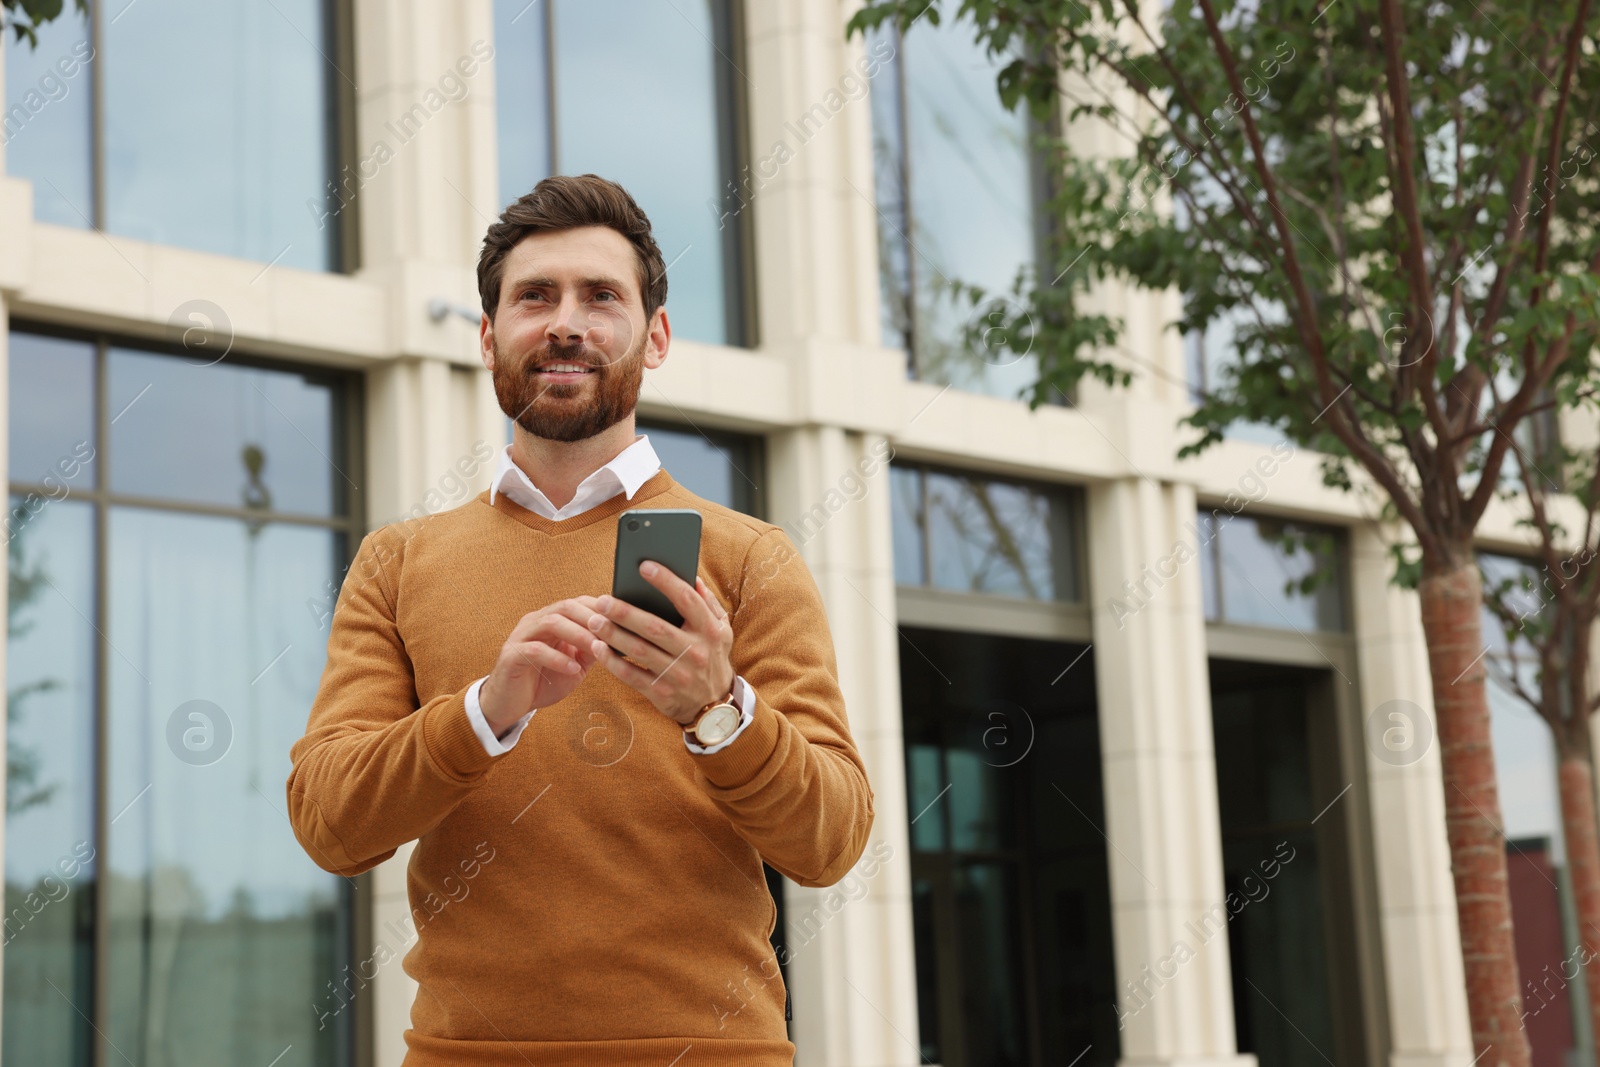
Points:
(633, 468)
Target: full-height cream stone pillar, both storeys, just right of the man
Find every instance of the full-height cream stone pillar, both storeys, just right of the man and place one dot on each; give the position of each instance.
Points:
(812, 202)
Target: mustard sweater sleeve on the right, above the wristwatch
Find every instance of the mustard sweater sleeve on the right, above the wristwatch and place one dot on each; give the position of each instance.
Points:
(793, 785)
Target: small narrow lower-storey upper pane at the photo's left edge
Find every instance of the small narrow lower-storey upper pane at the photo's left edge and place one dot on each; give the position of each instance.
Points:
(52, 410)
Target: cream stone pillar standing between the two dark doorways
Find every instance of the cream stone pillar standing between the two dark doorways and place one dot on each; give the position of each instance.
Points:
(1162, 829)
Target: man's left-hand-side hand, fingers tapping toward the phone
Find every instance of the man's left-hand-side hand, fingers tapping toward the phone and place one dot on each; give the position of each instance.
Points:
(542, 663)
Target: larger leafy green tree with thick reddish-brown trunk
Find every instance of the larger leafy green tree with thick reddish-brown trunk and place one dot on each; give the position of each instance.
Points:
(1388, 204)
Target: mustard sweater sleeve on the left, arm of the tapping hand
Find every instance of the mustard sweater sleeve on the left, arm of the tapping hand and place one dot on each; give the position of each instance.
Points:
(375, 770)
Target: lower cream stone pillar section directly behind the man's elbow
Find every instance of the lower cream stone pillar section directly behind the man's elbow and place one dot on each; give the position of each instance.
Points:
(854, 969)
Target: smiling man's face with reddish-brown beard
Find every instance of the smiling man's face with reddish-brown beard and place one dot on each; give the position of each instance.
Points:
(570, 345)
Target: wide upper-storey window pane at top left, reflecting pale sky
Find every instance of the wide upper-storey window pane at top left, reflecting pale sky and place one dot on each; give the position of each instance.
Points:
(218, 129)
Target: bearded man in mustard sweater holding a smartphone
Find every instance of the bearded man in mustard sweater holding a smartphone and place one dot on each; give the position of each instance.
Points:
(588, 877)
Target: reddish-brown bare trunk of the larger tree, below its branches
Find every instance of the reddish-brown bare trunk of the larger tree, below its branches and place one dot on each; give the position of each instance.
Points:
(1454, 626)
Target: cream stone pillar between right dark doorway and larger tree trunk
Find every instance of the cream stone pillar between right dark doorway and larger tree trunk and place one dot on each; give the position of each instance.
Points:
(1417, 898)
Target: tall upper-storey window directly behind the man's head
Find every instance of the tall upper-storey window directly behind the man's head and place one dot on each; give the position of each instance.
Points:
(636, 86)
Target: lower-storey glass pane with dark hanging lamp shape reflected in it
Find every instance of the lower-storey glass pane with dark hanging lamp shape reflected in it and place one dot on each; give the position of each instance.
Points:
(252, 438)
